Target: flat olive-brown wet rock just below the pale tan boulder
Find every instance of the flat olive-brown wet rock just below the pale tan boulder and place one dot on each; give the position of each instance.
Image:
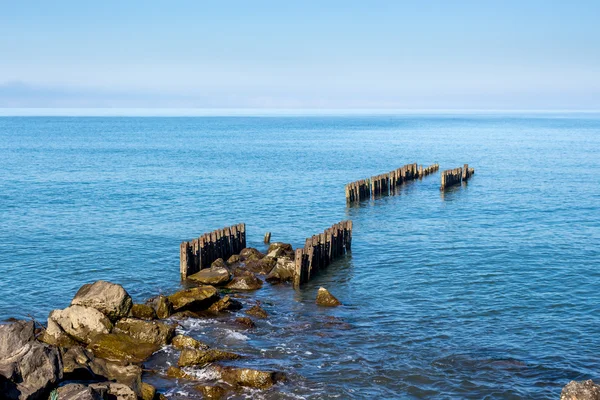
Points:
(121, 347)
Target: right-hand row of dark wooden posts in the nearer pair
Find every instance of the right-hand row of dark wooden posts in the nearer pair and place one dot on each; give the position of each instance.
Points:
(320, 250)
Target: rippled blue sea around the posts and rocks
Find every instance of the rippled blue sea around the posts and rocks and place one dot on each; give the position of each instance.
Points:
(490, 290)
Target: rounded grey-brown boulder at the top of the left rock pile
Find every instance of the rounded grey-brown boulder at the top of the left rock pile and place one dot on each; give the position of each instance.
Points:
(109, 298)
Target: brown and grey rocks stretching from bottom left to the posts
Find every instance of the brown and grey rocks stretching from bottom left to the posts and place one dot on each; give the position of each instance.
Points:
(97, 346)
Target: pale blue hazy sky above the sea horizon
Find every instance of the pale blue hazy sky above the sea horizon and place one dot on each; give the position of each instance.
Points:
(511, 55)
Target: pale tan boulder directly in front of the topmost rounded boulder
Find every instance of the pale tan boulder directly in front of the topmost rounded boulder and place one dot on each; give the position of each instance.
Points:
(80, 322)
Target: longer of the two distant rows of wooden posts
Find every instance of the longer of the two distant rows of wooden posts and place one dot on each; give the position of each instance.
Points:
(386, 184)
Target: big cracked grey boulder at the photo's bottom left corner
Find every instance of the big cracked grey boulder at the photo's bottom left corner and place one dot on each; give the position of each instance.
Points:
(28, 368)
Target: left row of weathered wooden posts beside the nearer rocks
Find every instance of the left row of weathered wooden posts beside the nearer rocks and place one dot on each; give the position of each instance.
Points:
(202, 252)
